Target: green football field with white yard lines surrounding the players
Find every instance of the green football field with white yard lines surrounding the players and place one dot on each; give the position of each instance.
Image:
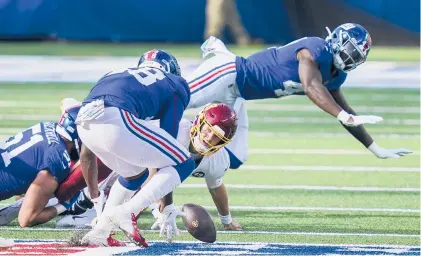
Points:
(308, 187)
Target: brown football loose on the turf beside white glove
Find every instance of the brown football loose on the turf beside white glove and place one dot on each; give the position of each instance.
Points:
(199, 223)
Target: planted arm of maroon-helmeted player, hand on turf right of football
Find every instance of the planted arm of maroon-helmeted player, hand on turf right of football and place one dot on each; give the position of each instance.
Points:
(220, 198)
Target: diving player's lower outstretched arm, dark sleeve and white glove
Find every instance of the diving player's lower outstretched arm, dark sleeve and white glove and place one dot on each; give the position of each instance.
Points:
(360, 133)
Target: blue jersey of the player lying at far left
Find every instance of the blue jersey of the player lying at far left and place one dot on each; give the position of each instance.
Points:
(24, 155)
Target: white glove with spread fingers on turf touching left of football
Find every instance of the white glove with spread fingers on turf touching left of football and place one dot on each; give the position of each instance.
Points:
(167, 222)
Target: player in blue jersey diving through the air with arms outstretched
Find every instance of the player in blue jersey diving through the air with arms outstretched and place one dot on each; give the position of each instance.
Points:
(309, 66)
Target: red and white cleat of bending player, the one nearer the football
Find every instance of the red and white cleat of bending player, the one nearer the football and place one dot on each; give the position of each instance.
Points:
(129, 227)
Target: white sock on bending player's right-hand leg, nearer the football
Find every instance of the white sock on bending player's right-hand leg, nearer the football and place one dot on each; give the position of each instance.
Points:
(162, 183)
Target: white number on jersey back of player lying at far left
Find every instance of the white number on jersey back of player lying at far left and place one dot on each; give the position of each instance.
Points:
(8, 155)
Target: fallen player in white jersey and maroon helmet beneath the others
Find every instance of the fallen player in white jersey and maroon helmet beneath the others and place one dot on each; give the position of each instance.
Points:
(201, 140)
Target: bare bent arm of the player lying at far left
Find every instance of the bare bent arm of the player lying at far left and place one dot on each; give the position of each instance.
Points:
(33, 209)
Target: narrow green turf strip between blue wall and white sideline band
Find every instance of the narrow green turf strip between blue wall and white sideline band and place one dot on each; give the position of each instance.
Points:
(180, 50)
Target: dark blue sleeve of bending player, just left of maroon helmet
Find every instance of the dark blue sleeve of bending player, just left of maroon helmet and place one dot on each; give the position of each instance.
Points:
(170, 119)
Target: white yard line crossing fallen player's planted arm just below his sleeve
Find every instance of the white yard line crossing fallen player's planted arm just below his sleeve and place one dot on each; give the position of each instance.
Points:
(307, 187)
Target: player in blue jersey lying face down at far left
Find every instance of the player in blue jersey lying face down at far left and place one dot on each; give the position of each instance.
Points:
(34, 162)
